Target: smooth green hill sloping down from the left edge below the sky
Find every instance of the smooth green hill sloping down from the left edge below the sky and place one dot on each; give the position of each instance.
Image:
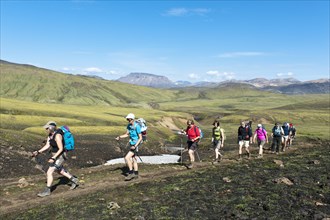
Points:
(31, 83)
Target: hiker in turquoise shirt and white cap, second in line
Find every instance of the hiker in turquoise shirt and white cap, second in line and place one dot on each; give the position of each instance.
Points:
(134, 133)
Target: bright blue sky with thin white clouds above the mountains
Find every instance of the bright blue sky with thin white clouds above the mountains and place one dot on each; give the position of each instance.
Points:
(183, 40)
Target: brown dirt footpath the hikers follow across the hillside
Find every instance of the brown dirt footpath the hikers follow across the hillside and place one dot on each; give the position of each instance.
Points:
(20, 195)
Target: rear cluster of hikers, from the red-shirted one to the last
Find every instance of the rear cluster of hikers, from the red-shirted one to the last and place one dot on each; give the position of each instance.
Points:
(281, 135)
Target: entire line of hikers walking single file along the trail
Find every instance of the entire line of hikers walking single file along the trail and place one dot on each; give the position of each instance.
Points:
(55, 142)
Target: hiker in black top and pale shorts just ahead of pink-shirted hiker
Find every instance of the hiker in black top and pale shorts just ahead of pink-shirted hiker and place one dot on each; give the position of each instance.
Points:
(244, 138)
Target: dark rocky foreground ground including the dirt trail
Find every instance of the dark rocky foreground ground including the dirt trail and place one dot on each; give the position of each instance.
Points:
(292, 185)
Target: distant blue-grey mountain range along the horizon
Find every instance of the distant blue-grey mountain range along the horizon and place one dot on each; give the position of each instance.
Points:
(284, 85)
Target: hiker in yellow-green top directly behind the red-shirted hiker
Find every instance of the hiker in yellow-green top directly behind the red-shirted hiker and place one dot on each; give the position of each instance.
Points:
(217, 140)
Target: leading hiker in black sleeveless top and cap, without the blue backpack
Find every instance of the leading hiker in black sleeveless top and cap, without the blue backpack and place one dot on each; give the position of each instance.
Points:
(55, 141)
